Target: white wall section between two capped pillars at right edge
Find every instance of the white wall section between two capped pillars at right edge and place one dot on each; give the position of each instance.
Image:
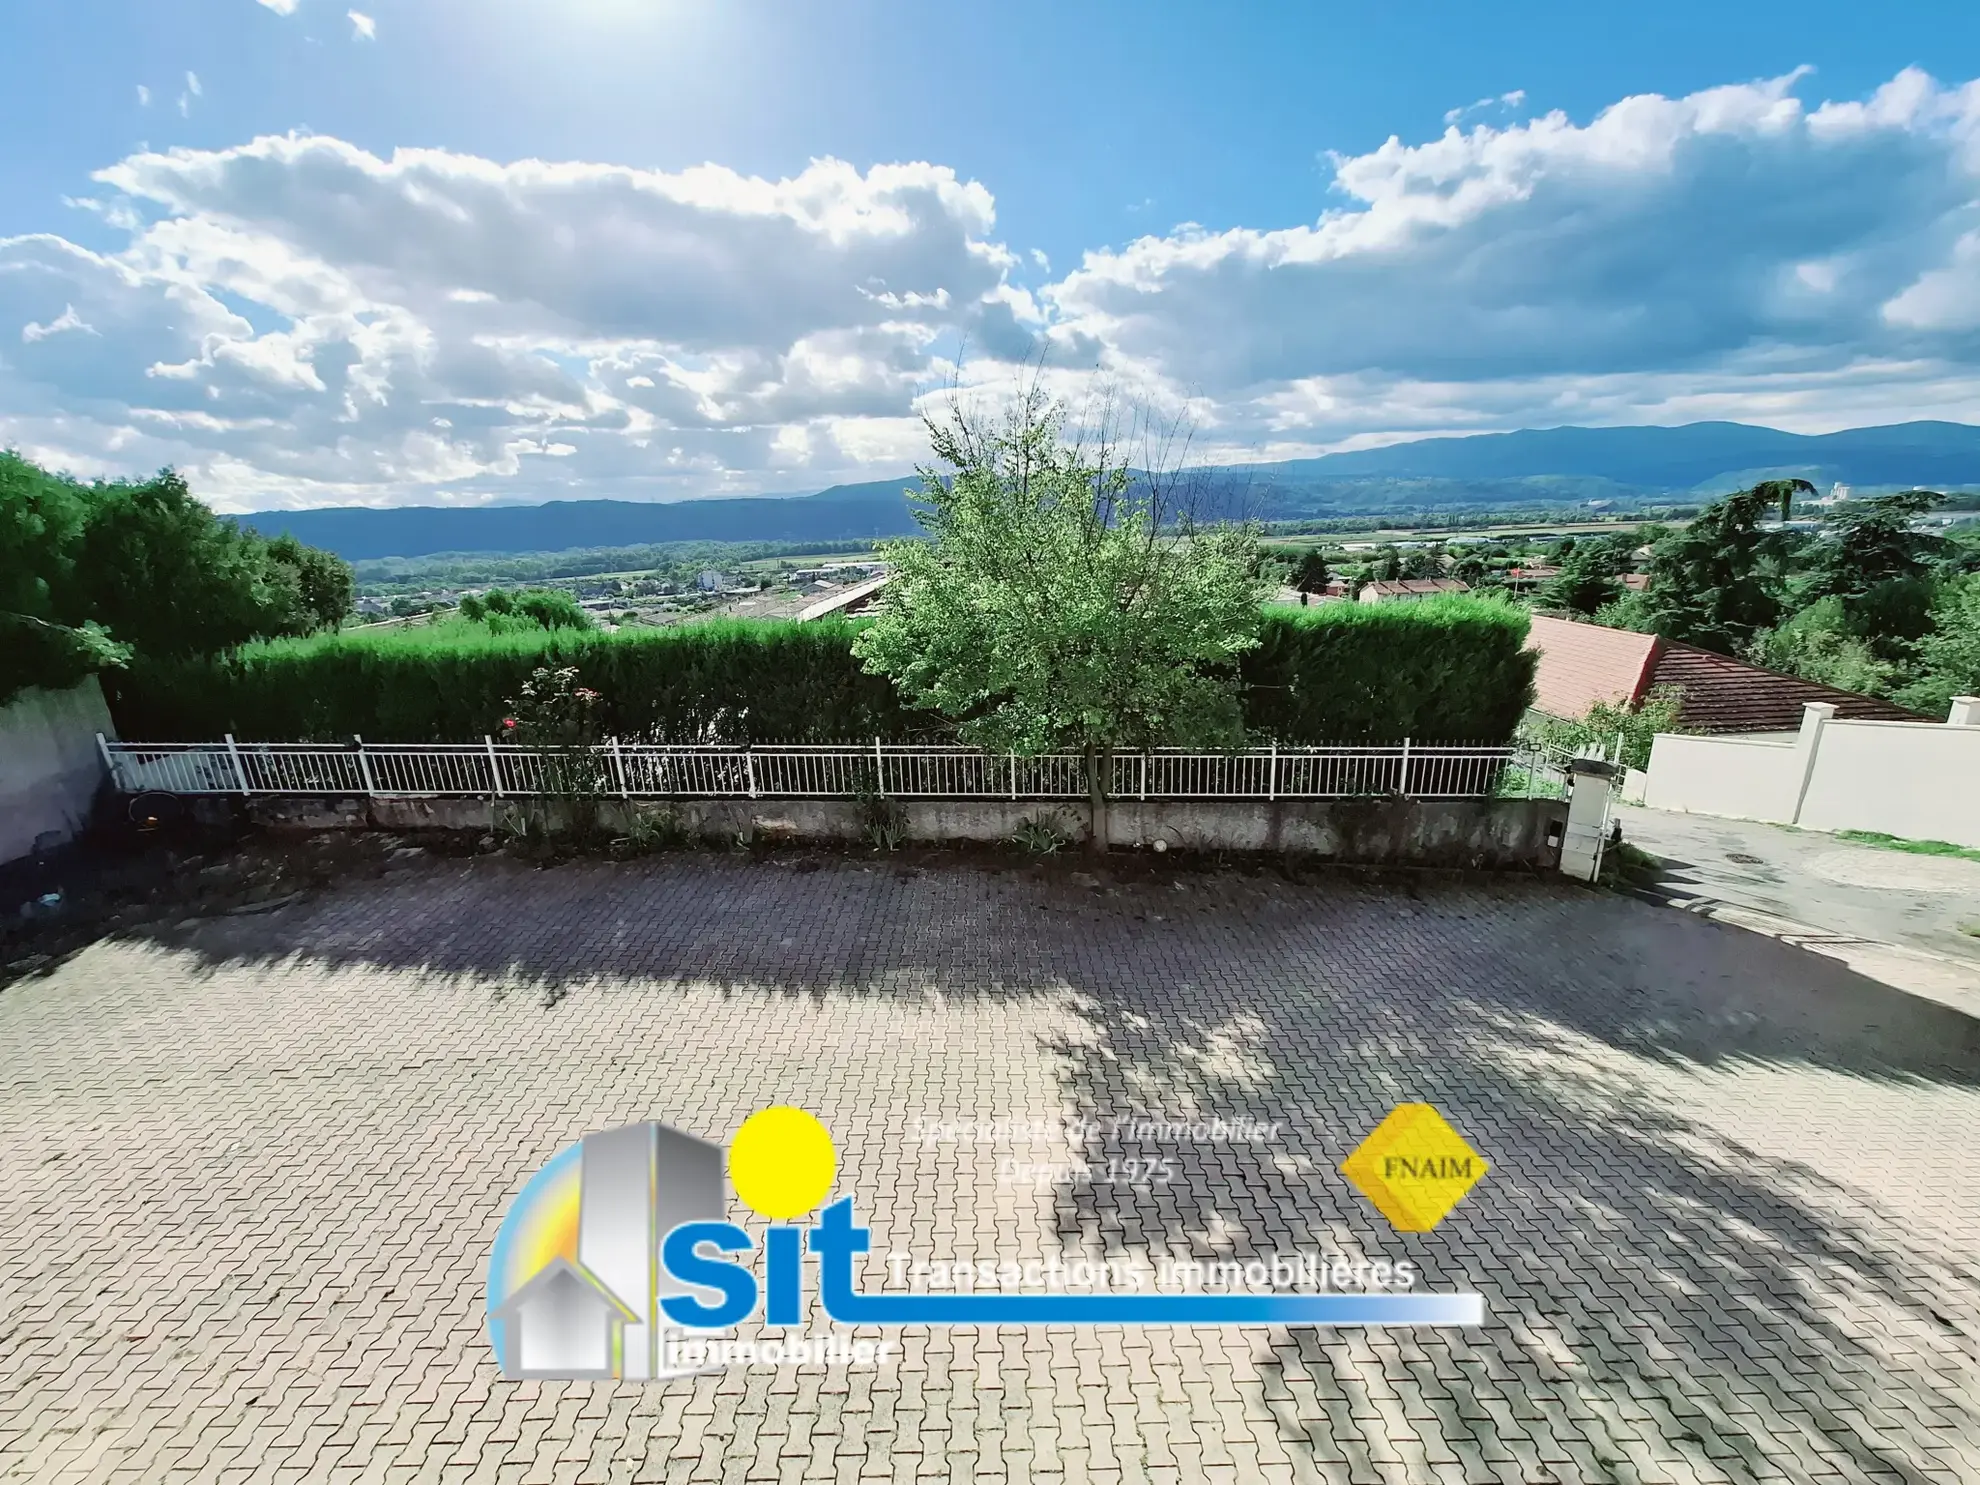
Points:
(1904, 779)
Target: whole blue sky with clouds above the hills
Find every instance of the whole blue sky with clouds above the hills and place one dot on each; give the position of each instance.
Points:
(466, 250)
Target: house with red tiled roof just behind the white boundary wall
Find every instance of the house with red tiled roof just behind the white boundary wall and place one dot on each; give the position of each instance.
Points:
(1583, 664)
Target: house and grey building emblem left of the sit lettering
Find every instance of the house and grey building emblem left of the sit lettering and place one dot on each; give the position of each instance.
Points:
(595, 1314)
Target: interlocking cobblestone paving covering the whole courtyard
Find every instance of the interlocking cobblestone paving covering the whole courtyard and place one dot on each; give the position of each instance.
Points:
(252, 1167)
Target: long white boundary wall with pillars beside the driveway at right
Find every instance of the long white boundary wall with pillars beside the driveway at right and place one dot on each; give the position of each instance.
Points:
(1920, 781)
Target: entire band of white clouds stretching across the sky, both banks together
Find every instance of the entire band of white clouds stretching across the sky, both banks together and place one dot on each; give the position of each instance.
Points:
(302, 322)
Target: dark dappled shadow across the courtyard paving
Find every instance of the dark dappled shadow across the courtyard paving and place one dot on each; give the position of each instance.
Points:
(1664, 1302)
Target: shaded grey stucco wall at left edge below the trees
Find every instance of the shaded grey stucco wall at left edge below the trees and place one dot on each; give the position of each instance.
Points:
(50, 767)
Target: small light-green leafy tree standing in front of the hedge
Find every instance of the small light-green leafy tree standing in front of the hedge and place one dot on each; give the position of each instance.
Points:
(1064, 601)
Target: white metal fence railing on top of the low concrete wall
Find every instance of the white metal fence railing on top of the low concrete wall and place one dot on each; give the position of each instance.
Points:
(821, 771)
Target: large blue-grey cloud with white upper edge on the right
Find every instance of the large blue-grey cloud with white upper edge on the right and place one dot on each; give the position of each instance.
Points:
(1710, 237)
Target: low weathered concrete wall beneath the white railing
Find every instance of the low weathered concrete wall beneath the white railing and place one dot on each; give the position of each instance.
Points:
(1375, 833)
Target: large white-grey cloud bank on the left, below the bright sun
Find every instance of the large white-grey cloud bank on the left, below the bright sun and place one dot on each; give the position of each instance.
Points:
(298, 320)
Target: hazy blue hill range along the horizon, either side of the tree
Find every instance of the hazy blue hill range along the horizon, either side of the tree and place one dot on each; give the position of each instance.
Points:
(1532, 468)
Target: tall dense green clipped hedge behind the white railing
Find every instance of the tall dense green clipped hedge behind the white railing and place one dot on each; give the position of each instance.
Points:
(1330, 674)
